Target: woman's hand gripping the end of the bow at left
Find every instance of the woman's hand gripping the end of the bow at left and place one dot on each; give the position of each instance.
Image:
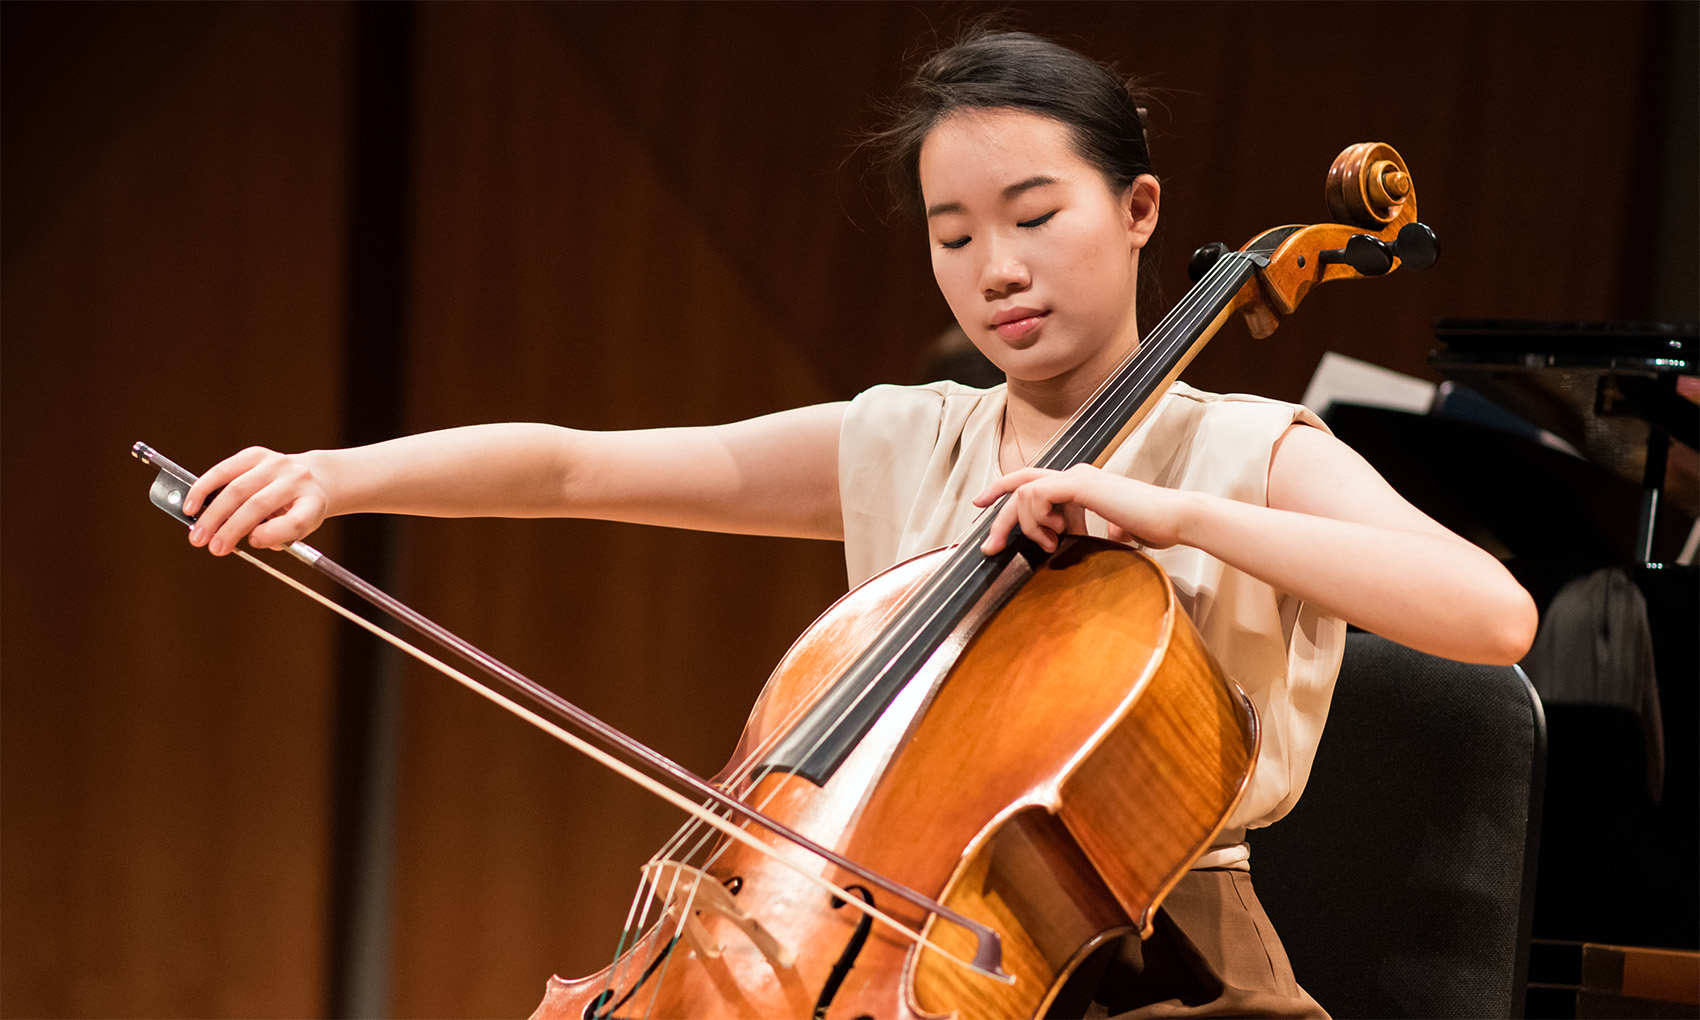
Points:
(271, 499)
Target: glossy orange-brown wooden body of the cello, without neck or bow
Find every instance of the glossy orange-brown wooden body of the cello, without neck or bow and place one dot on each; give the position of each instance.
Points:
(1053, 773)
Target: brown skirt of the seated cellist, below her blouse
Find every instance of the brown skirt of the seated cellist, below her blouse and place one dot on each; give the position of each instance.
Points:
(1213, 953)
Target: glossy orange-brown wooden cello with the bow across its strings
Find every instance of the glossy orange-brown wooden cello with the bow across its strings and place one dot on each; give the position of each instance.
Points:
(1091, 744)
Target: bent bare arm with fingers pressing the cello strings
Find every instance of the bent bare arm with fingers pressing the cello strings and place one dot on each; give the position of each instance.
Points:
(1334, 535)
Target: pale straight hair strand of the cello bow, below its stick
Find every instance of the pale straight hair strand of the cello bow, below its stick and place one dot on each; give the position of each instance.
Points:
(604, 759)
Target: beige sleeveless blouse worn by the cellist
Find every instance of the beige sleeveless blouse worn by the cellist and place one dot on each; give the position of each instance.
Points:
(912, 458)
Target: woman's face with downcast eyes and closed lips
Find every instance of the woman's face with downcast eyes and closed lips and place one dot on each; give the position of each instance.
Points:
(1036, 256)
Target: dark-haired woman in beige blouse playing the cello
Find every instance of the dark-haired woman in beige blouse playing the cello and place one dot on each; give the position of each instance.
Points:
(1031, 171)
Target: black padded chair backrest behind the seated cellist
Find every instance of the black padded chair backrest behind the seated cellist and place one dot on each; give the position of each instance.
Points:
(1403, 880)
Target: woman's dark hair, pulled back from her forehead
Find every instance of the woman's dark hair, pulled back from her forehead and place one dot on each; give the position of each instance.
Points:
(1024, 72)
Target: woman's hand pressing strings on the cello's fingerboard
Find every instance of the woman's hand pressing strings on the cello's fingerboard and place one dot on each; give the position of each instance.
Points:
(1051, 504)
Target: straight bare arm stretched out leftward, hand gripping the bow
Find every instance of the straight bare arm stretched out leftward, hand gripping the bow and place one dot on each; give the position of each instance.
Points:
(776, 475)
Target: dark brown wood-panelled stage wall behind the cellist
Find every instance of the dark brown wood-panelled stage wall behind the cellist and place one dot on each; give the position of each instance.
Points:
(297, 225)
